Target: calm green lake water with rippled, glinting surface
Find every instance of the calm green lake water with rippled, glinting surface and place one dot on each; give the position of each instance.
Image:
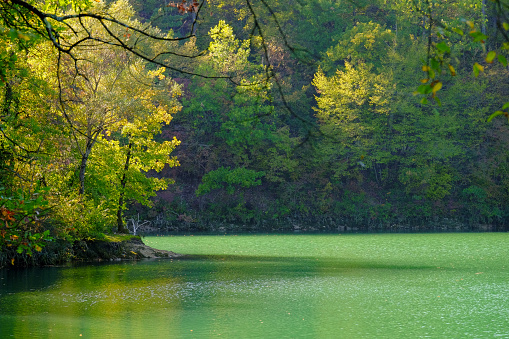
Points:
(273, 286)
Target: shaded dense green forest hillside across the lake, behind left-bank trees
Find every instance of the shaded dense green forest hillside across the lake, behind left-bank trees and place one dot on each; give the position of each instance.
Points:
(358, 148)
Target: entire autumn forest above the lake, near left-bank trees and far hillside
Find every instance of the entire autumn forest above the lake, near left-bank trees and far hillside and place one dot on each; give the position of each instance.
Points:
(249, 115)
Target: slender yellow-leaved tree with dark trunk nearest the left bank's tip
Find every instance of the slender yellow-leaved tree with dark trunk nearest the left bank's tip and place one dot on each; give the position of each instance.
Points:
(134, 150)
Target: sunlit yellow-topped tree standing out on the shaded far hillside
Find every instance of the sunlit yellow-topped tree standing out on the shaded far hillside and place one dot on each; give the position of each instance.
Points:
(353, 110)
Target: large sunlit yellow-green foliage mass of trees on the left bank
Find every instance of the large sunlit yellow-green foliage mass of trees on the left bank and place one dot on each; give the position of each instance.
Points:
(101, 98)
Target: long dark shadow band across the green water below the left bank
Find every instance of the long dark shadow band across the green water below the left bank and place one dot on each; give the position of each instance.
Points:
(36, 279)
